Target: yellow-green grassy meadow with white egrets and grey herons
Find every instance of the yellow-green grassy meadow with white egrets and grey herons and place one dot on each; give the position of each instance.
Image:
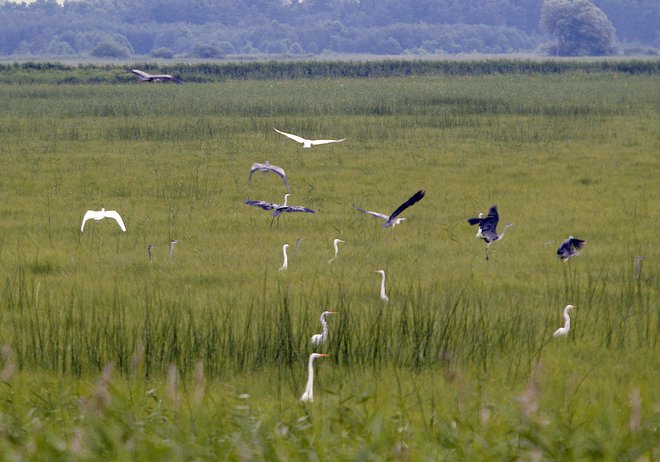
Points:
(203, 355)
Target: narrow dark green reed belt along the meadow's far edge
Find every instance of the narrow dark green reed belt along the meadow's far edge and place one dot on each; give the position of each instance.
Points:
(58, 73)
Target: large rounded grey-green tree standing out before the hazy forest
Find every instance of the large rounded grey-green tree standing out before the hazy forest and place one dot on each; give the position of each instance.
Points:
(580, 28)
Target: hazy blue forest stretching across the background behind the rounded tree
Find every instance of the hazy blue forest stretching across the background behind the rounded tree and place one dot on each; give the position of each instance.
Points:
(215, 29)
